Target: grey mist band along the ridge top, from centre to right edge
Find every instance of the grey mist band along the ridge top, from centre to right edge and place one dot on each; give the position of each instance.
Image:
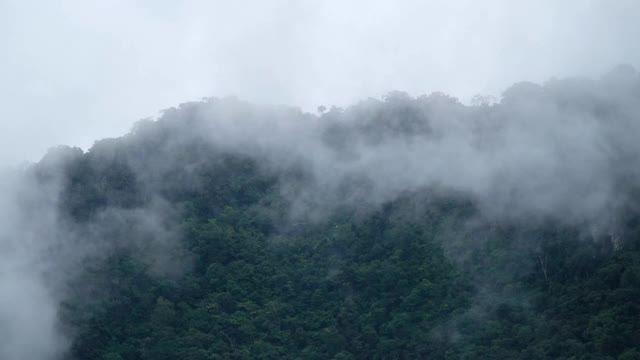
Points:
(563, 149)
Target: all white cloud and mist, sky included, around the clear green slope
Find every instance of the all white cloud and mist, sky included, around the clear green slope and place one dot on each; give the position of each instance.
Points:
(552, 136)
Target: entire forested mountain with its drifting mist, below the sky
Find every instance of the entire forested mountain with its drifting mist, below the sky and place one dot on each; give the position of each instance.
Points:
(397, 228)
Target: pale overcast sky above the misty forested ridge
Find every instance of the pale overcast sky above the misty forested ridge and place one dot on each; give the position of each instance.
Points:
(75, 71)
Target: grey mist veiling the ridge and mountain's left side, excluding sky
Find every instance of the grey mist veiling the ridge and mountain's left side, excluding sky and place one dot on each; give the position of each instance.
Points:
(565, 150)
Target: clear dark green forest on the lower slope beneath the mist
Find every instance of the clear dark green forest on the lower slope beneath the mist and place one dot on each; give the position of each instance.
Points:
(378, 287)
